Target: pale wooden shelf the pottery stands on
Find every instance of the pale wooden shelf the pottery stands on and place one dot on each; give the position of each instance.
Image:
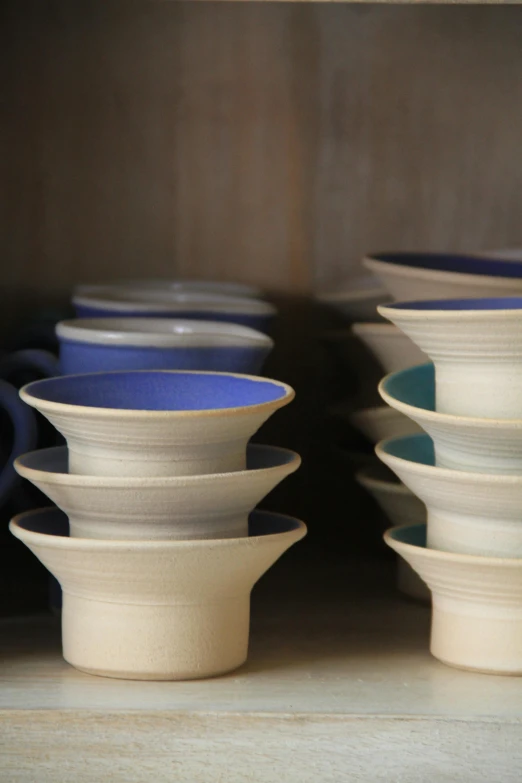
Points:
(339, 686)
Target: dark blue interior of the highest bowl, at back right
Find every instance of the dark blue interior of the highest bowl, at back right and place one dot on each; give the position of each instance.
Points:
(449, 262)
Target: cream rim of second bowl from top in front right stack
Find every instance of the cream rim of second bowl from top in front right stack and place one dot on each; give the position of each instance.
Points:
(434, 417)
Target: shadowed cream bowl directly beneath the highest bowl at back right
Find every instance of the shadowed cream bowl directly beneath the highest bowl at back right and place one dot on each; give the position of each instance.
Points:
(390, 346)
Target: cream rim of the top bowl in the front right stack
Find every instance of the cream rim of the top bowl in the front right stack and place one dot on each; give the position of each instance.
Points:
(438, 310)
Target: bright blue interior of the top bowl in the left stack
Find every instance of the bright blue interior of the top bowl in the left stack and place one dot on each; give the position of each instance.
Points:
(157, 391)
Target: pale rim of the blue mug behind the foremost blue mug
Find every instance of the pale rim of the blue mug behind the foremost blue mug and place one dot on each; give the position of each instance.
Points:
(180, 302)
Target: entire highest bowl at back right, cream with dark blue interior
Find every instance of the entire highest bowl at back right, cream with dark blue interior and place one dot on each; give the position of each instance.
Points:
(413, 276)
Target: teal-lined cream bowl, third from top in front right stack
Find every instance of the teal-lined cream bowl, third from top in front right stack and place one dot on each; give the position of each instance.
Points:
(468, 513)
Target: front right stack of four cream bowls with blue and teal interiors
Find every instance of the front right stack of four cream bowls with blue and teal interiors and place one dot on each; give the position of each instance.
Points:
(468, 471)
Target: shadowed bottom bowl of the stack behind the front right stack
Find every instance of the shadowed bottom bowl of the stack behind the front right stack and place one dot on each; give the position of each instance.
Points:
(401, 507)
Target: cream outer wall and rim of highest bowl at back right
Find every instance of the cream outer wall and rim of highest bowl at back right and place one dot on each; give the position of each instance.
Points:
(406, 283)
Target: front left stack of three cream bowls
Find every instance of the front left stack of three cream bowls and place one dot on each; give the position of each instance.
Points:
(155, 544)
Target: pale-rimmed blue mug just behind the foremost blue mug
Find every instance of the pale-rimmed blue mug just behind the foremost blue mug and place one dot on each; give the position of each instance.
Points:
(107, 302)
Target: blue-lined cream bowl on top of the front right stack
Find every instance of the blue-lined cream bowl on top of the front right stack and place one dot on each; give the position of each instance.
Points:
(476, 347)
